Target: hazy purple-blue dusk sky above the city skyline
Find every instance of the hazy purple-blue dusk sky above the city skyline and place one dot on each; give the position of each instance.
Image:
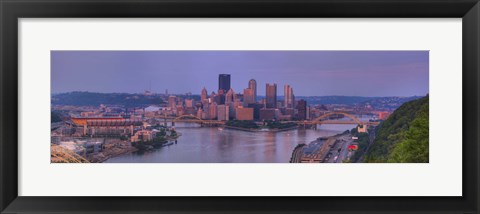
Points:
(309, 73)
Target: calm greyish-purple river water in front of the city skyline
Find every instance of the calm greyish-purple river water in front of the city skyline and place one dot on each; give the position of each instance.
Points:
(212, 145)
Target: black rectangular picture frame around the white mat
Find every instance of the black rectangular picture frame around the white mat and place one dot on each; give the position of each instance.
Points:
(12, 10)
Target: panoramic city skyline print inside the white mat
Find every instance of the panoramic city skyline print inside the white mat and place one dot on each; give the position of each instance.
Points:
(239, 107)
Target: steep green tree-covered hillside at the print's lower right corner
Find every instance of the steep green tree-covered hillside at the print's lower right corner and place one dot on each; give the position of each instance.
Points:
(403, 137)
